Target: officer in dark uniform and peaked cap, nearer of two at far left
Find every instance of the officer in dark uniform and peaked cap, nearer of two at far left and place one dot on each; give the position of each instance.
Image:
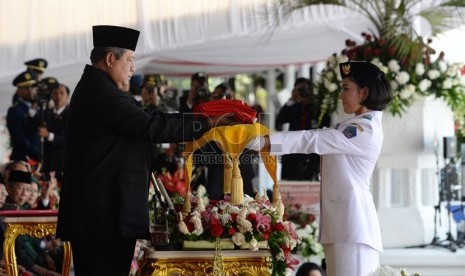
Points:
(25, 142)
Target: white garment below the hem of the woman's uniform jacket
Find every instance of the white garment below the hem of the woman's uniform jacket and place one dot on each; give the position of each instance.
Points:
(350, 259)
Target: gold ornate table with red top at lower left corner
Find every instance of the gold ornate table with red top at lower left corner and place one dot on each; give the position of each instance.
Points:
(34, 223)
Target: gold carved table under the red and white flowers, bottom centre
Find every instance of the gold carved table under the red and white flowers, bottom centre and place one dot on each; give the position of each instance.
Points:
(200, 263)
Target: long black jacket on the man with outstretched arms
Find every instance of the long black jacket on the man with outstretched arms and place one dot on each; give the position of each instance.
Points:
(107, 165)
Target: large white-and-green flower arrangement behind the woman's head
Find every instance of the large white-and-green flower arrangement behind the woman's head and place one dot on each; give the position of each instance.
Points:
(411, 77)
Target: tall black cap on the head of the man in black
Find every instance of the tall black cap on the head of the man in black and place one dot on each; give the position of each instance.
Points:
(115, 36)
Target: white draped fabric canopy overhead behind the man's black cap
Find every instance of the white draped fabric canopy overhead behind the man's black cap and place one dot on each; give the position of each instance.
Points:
(178, 37)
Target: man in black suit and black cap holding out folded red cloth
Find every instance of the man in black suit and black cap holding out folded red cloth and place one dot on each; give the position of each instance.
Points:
(104, 204)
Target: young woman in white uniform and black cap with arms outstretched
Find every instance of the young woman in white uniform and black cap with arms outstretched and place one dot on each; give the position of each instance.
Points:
(349, 227)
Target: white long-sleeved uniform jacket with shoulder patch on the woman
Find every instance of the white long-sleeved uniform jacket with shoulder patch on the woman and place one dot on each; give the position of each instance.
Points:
(349, 152)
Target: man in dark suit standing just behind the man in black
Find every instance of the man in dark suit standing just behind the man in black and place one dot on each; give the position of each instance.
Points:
(52, 130)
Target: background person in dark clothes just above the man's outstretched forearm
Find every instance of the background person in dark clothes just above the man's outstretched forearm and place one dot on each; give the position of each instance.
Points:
(196, 94)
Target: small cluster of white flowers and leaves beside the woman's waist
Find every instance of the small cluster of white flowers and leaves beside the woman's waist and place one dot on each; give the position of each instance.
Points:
(307, 228)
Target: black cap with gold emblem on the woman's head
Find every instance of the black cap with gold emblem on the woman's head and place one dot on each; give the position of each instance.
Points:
(360, 70)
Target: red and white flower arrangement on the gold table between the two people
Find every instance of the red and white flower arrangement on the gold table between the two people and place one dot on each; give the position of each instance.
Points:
(254, 221)
